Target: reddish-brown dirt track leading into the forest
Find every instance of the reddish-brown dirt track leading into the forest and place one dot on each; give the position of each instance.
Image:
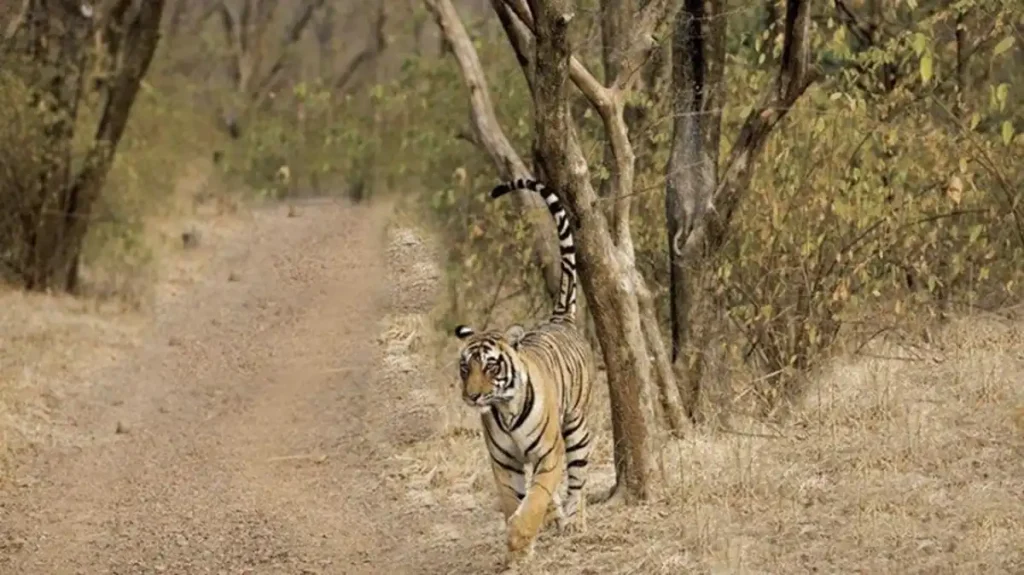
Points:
(249, 434)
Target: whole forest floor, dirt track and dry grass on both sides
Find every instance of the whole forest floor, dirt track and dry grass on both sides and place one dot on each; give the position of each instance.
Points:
(284, 409)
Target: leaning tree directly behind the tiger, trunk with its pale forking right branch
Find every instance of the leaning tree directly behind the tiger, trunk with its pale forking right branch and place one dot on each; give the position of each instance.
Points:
(608, 261)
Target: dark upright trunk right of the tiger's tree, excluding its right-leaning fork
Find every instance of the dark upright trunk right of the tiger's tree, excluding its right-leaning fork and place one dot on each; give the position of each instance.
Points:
(699, 62)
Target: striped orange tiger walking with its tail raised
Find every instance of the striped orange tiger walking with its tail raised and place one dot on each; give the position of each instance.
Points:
(533, 390)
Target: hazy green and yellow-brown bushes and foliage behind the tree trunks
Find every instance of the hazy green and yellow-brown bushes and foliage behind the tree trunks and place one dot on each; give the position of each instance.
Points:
(886, 203)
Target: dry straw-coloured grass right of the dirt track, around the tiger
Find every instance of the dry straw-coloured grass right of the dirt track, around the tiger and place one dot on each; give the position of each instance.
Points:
(887, 466)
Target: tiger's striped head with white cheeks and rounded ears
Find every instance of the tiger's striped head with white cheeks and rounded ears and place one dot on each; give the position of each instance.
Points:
(490, 367)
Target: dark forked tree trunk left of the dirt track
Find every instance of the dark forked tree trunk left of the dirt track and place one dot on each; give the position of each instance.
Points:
(130, 33)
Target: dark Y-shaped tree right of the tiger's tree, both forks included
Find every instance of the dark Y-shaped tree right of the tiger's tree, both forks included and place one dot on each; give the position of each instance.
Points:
(701, 206)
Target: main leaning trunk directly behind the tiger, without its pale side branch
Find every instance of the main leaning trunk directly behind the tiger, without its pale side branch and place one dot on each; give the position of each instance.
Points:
(604, 270)
